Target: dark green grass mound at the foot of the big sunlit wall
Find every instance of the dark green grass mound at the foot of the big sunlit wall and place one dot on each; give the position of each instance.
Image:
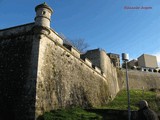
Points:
(69, 114)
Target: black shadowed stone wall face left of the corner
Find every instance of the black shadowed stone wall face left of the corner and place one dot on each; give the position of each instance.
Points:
(17, 91)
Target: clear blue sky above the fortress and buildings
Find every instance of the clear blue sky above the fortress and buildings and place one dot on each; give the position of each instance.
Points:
(102, 23)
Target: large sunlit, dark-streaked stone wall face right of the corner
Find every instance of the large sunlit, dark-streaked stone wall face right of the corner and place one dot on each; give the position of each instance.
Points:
(65, 81)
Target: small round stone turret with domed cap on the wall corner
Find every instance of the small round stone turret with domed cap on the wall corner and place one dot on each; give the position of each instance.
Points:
(43, 15)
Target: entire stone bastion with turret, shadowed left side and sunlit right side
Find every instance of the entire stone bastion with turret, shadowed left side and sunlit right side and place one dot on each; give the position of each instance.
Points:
(38, 73)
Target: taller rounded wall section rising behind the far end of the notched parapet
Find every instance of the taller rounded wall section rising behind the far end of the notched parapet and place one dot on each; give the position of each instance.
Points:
(101, 59)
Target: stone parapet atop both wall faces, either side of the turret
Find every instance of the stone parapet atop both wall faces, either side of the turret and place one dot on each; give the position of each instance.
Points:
(28, 29)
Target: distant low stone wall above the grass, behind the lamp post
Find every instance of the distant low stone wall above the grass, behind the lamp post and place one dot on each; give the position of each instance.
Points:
(142, 80)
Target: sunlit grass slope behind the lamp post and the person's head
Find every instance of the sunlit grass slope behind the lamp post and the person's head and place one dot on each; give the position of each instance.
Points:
(120, 102)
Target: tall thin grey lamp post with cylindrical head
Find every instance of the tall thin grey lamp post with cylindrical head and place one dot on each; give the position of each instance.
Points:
(125, 58)
